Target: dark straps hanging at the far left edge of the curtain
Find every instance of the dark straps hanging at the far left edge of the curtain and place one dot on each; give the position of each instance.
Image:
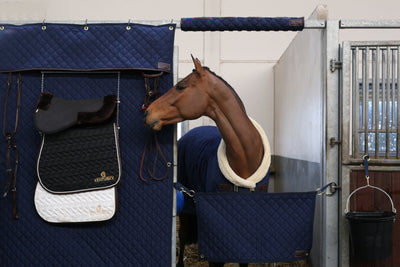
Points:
(11, 145)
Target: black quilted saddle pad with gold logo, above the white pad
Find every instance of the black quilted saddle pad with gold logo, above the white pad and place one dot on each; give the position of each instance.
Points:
(79, 159)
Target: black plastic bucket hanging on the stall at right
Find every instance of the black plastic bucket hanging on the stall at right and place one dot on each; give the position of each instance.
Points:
(371, 233)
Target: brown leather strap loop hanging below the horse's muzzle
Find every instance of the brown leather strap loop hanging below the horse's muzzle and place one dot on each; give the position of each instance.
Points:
(151, 168)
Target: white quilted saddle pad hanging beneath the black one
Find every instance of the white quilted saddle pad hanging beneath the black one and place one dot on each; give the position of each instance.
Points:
(91, 206)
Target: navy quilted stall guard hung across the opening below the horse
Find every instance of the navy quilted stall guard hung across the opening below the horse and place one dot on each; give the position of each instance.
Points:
(254, 227)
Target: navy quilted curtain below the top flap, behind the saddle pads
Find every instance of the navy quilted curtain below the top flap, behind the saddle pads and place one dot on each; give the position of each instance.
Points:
(141, 231)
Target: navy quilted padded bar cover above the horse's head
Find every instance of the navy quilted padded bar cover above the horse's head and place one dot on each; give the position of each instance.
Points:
(242, 24)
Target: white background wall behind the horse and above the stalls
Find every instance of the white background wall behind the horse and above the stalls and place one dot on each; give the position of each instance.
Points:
(244, 59)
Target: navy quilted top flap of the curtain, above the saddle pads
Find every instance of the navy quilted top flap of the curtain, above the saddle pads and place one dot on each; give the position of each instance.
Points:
(102, 46)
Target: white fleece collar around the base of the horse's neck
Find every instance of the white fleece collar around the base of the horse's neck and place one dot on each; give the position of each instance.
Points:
(258, 175)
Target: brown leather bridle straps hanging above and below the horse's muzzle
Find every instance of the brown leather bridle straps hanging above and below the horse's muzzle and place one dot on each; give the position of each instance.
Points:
(152, 142)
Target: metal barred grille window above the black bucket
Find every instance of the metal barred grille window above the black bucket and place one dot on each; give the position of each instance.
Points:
(375, 119)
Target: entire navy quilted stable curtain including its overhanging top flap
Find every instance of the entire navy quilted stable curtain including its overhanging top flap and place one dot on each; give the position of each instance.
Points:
(88, 59)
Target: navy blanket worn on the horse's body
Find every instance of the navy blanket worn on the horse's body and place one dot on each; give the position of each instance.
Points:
(198, 167)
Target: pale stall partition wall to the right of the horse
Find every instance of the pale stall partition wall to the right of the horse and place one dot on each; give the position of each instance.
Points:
(299, 123)
